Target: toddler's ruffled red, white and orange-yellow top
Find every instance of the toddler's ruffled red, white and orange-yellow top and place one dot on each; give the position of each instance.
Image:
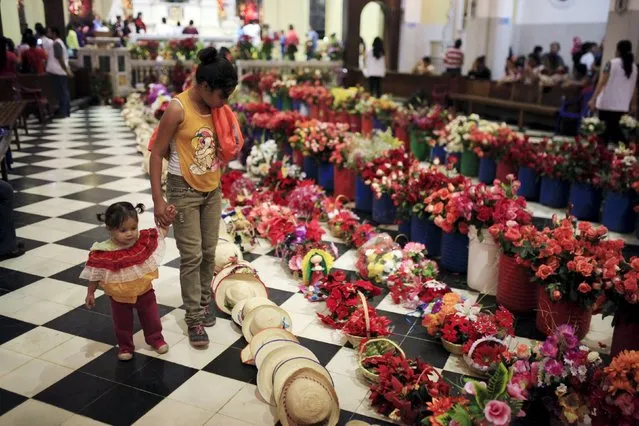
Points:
(125, 274)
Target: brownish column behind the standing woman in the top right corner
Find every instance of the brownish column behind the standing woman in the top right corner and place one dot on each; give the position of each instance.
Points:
(623, 24)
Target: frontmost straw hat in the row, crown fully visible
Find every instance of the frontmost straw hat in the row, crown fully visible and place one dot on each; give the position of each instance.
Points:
(307, 398)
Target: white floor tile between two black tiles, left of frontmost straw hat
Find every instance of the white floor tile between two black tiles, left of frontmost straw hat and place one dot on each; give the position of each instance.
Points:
(207, 391)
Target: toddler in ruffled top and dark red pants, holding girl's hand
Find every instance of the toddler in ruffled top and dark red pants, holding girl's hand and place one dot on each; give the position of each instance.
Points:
(125, 266)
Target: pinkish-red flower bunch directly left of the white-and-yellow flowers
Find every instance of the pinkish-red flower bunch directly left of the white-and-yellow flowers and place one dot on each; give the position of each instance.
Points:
(317, 139)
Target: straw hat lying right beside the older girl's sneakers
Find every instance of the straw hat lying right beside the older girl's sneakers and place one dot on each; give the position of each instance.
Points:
(234, 283)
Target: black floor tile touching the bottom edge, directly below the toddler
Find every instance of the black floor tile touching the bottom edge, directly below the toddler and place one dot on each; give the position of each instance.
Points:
(122, 405)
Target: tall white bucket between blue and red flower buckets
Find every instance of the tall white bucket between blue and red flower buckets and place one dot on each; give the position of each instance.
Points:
(483, 262)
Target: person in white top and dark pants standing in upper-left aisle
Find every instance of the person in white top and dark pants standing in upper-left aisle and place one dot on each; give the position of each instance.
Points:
(59, 70)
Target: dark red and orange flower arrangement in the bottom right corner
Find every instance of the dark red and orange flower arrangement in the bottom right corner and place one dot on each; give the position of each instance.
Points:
(616, 399)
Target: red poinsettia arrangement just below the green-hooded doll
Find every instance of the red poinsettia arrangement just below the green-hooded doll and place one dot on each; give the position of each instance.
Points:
(342, 297)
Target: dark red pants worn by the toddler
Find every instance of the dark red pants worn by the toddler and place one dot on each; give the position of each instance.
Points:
(149, 315)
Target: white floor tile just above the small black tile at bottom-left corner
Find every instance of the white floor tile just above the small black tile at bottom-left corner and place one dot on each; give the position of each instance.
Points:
(33, 377)
